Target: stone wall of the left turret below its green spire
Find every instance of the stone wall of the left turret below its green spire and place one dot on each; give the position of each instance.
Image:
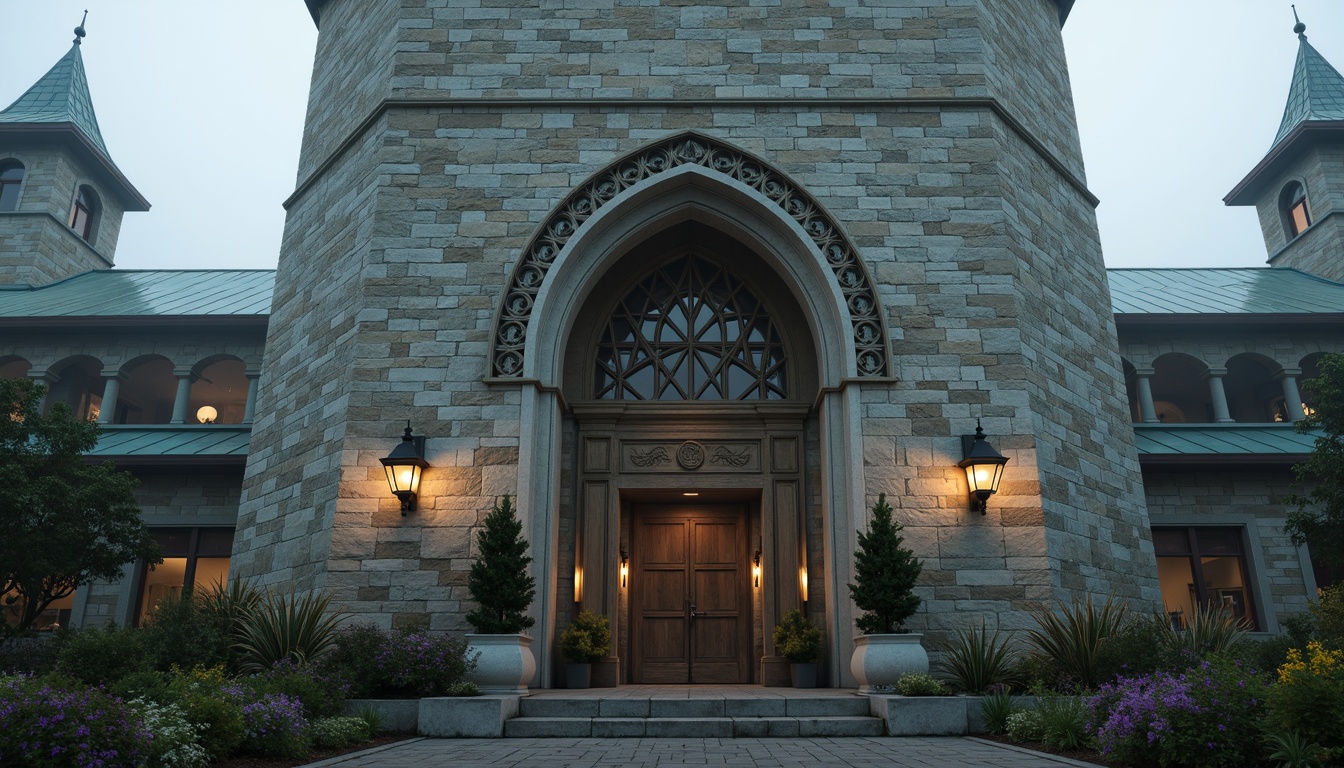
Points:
(37, 247)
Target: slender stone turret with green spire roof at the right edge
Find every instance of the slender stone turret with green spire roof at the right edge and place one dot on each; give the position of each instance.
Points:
(1299, 188)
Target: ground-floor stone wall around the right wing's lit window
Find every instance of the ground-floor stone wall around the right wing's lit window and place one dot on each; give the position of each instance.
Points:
(1244, 498)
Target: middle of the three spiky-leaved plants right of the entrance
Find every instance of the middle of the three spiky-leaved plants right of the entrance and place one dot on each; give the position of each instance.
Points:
(1075, 637)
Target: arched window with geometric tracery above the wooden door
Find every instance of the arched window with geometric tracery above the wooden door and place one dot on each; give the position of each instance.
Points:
(691, 330)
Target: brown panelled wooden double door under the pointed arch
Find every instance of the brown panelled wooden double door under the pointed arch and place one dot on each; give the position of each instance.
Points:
(690, 595)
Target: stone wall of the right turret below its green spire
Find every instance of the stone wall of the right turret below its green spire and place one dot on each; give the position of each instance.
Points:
(1320, 249)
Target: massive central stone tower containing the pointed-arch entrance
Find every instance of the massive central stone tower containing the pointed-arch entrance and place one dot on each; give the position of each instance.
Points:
(697, 283)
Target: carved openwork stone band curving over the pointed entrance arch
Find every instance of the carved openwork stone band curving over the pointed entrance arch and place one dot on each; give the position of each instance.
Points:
(870, 334)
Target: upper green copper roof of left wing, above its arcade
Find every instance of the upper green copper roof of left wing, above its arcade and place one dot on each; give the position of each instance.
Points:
(138, 294)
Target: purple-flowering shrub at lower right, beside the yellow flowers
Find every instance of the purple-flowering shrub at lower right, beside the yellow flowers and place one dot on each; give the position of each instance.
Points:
(1206, 716)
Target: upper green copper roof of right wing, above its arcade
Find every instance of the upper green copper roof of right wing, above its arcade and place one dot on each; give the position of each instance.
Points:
(1251, 291)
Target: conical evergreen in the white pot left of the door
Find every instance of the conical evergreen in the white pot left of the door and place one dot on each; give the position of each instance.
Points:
(499, 582)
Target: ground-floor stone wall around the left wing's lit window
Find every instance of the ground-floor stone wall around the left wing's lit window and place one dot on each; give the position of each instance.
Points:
(167, 500)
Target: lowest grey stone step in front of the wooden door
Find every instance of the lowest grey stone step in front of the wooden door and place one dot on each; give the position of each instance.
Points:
(690, 727)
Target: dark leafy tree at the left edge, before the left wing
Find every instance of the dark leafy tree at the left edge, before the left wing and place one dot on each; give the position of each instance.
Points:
(65, 523)
